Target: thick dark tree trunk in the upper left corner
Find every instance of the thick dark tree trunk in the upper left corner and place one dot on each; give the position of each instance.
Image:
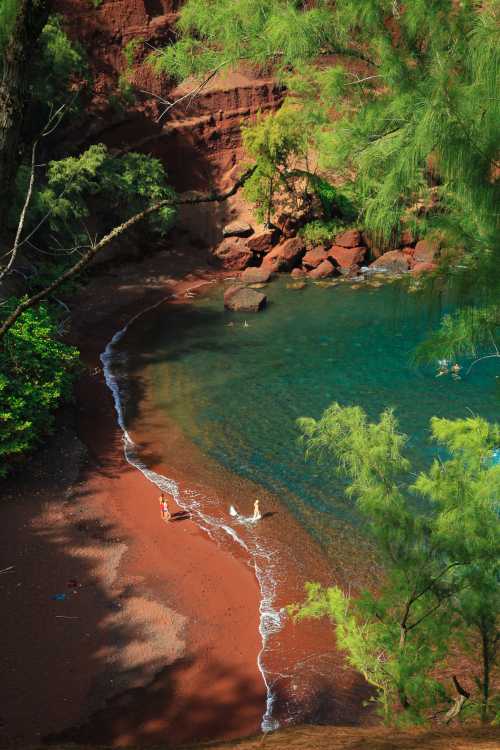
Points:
(17, 62)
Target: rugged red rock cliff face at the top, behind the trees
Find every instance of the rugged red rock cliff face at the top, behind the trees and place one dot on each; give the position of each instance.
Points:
(199, 140)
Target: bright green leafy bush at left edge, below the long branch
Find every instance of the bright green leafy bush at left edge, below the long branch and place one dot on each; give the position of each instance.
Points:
(36, 375)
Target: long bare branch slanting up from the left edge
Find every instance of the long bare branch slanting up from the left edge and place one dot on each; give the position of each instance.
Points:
(116, 232)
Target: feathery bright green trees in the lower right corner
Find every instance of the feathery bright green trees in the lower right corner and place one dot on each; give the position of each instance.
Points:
(442, 567)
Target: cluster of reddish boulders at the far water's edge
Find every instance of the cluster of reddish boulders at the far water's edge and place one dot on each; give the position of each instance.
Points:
(257, 256)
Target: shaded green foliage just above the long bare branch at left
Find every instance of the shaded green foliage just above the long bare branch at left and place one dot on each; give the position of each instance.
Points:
(97, 182)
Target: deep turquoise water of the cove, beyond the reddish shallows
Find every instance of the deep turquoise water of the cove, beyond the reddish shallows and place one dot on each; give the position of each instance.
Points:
(237, 391)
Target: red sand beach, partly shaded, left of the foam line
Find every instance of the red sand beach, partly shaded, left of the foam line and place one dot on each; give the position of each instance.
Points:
(164, 636)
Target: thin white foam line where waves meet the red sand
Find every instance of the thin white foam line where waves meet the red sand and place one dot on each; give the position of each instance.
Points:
(270, 621)
